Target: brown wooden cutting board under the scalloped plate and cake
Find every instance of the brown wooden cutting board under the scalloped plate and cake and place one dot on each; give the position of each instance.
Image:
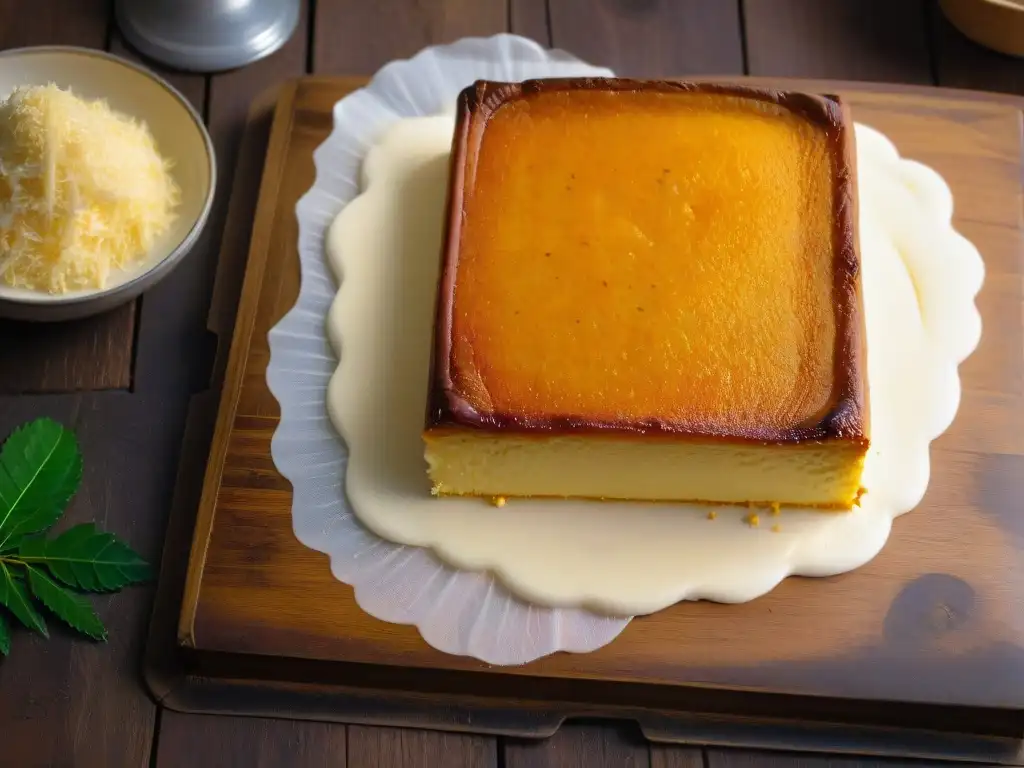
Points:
(920, 653)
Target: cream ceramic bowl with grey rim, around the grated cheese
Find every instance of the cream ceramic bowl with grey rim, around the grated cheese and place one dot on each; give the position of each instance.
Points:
(181, 138)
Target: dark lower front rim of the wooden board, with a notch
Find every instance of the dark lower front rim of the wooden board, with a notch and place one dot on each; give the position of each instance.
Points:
(536, 720)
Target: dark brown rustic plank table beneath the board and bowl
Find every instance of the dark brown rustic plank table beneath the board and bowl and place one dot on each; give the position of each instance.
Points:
(123, 381)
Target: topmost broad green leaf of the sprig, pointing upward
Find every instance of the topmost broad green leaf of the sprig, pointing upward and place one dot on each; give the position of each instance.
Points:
(40, 471)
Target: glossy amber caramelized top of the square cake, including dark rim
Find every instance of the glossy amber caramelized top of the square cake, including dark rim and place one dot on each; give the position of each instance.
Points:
(652, 258)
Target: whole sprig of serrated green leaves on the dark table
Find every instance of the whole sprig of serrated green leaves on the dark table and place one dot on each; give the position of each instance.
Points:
(40, 472)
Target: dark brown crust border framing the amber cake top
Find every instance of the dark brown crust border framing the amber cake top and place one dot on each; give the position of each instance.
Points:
(848, 420)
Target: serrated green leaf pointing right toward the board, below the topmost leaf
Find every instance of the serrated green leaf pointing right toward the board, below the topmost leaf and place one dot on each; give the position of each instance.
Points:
(88, 559)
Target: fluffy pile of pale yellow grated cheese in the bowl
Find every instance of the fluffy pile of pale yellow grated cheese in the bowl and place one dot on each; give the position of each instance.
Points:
(83, 191)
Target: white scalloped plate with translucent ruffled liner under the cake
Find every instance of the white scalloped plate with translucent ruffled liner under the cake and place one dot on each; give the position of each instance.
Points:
(619, 559)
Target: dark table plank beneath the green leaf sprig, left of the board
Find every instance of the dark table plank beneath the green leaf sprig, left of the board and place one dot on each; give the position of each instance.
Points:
(68, 701)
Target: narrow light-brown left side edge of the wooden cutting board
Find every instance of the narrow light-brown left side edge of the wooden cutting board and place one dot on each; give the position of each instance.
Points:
(235, 372)
